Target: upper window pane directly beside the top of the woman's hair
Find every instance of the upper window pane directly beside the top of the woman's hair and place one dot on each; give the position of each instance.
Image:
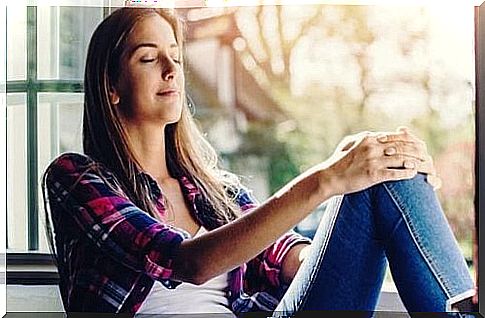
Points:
(63, 37)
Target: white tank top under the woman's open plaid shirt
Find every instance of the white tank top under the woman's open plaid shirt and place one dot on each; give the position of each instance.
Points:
(189, 298)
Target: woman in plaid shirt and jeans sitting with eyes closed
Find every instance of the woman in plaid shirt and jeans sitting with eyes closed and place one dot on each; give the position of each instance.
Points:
(145, 220)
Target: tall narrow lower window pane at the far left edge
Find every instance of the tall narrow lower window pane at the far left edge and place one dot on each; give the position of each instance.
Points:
(16, 172)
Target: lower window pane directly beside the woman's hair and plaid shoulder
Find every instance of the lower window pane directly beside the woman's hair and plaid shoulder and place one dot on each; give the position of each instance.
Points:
(60, 119)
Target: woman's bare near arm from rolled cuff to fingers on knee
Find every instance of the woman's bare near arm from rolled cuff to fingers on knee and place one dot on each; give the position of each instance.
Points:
(365, 163)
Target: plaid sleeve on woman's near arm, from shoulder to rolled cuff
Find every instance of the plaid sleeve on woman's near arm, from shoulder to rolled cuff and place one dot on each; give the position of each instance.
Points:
(109, 219)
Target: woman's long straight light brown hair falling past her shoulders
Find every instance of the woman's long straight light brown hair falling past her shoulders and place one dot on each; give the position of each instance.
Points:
(188, 153)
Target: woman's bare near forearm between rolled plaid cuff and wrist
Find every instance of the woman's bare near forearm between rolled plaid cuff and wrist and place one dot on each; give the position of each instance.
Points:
(200, 259)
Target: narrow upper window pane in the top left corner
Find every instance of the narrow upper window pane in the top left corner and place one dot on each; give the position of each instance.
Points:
(16, 42)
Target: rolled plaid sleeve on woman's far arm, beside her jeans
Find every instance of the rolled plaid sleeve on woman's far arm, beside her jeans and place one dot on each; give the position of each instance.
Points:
(263, 271)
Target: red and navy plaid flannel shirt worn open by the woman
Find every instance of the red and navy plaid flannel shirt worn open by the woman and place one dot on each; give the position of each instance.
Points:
(110, 252)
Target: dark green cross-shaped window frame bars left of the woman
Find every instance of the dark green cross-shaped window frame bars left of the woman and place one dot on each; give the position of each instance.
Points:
(32, 86)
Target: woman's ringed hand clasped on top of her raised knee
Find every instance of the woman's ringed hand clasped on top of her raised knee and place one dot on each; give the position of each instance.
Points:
(365, 159)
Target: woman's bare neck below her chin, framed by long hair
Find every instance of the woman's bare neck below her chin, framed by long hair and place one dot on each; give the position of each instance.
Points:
(148, 142)
